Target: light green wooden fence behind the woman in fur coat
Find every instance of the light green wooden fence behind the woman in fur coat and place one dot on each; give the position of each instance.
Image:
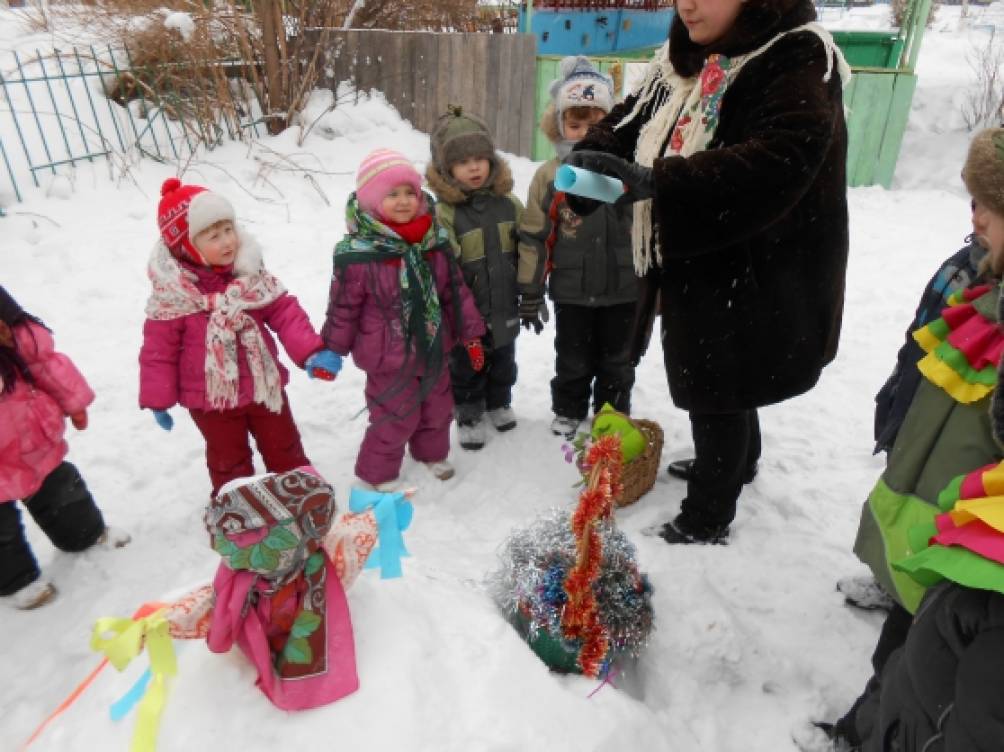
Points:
(877, 101)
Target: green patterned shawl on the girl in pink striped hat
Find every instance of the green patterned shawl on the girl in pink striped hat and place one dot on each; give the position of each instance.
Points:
(371, 240)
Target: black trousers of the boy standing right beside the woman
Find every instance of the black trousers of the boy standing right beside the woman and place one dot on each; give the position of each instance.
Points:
(591, 346)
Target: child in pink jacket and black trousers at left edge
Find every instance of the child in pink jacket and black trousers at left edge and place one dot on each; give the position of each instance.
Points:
(40, 388)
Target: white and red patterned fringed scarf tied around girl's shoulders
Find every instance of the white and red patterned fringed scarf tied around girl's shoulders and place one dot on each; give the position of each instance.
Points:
(176, 295)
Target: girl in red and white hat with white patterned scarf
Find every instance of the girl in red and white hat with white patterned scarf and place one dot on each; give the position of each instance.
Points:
(206, 342)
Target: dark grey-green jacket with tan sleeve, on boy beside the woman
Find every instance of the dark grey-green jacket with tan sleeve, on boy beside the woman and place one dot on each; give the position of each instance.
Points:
(592, 262)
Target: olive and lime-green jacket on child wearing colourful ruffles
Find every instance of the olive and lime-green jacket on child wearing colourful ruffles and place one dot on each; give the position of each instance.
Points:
(941, 438)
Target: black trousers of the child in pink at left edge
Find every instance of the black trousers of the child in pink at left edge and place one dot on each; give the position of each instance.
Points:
(64, 509)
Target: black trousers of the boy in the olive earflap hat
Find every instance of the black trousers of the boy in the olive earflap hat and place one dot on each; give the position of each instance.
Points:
(490, 389)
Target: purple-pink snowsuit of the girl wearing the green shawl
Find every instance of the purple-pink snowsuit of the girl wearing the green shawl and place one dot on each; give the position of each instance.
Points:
(358, 325)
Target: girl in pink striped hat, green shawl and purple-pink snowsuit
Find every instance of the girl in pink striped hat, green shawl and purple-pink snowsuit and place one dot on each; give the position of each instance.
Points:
(398, 305)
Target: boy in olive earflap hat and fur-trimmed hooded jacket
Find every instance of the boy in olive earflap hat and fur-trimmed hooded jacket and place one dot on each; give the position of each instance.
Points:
(473, 185)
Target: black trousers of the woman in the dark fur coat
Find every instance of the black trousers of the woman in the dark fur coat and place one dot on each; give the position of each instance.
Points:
(726, 445)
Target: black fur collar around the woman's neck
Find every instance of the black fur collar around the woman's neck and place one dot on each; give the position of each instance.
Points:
(757, 25)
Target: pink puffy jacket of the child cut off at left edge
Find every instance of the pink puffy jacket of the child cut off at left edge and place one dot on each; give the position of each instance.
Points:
(33, 416)
